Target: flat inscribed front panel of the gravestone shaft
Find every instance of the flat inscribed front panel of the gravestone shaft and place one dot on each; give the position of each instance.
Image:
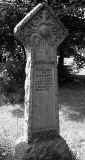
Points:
(44, 97)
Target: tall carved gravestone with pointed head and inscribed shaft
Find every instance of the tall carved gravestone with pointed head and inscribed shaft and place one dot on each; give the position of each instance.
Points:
(40, 33)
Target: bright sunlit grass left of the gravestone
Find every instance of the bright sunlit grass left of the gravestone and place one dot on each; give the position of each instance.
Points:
(11, 125)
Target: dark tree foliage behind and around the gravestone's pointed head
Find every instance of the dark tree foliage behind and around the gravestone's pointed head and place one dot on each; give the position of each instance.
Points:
(12, 55)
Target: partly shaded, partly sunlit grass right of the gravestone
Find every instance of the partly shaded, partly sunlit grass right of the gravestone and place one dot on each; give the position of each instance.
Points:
(72, 118)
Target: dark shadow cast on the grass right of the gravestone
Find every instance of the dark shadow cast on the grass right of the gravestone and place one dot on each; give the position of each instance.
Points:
(72, 100)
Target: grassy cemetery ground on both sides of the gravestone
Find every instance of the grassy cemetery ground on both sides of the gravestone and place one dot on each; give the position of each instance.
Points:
(71, 115)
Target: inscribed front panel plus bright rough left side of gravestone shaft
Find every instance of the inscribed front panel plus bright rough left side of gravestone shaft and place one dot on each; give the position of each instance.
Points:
(41, 112)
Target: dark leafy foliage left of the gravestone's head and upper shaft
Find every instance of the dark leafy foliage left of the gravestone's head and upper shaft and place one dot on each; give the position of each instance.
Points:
(12, 55)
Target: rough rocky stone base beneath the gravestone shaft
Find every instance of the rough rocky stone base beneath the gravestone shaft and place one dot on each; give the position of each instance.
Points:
(53, 149)
